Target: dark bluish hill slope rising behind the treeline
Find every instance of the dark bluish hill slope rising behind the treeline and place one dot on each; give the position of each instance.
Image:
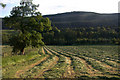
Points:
(83, 19)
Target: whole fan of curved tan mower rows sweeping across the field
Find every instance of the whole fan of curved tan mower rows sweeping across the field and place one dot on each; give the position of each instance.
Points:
(55, 56)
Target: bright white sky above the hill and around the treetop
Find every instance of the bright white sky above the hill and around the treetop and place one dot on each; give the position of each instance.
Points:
(60, 6)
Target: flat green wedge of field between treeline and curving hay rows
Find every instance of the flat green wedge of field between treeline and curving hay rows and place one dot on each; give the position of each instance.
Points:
(99, 52)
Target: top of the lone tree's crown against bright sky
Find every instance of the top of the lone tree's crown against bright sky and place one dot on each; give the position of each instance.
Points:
(27, 8)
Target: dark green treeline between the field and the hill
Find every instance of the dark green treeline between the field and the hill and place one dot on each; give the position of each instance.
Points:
(83, 35)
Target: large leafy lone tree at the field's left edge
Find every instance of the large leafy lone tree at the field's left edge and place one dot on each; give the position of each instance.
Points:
(29, 24)
